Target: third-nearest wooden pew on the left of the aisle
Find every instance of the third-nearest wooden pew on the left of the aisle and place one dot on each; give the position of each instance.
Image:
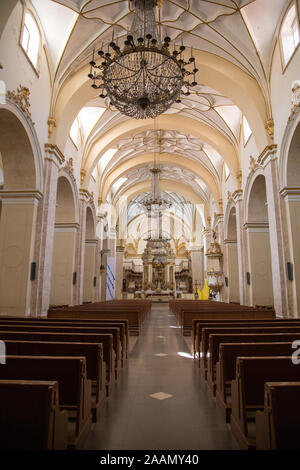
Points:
(93, 353)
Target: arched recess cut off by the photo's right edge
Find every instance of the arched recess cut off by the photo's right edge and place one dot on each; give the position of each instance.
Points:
(292, 200)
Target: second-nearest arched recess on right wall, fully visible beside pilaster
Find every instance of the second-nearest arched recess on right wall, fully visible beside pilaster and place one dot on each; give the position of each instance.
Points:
(259, 276)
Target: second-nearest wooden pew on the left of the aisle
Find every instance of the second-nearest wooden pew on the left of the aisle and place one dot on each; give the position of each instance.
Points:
(74, 388)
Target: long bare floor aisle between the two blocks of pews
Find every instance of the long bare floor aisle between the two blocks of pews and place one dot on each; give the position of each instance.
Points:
(187, 417)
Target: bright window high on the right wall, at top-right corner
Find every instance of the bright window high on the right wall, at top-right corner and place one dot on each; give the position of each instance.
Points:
(289, 34)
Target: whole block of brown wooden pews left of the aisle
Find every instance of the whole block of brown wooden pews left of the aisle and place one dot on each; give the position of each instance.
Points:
(58, 371)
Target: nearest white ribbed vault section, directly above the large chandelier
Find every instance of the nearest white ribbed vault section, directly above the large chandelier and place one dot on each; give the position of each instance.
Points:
(241, 31)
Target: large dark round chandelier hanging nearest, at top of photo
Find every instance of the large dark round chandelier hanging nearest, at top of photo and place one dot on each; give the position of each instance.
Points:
(148, 75)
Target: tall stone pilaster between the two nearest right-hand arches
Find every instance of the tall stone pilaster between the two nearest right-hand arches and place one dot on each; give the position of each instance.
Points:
(279, 273)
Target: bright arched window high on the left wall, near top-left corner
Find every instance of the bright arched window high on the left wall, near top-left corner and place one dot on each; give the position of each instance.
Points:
(31, 39)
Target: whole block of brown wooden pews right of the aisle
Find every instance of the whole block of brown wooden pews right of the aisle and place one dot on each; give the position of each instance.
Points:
(250, 367)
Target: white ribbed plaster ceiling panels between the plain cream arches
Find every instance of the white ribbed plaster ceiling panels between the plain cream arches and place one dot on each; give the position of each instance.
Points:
(241, 31)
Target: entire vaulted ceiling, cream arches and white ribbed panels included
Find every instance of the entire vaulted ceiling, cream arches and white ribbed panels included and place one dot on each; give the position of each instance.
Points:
(234, 34)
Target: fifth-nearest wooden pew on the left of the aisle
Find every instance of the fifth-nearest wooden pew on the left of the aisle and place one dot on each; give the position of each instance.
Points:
(73, 329)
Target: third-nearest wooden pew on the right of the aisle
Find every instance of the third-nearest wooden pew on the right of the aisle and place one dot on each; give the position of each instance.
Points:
(226, 366)
